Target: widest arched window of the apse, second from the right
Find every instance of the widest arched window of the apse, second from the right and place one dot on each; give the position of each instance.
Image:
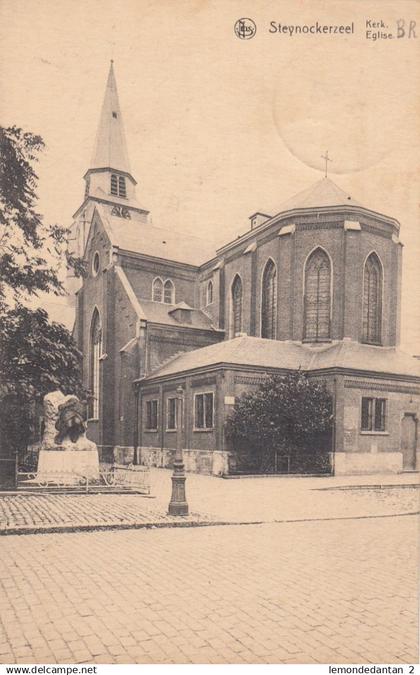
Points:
(317, 301)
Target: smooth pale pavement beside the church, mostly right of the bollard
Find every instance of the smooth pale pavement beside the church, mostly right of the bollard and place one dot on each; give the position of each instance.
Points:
(279, 498)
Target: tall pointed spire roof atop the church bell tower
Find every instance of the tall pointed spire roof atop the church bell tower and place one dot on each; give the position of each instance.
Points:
(110, 146)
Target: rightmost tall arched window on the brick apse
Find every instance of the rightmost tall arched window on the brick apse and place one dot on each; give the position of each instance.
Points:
(372, 300)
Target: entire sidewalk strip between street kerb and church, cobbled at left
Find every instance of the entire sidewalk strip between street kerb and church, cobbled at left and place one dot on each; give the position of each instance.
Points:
(214, 500)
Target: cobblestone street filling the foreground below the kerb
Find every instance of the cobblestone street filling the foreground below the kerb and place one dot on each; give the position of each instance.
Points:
(338, 591)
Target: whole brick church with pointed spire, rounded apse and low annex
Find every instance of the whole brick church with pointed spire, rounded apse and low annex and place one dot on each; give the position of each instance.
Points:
(315, 286)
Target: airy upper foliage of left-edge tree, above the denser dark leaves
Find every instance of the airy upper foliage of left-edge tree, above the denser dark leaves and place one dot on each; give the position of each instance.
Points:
(31, 252)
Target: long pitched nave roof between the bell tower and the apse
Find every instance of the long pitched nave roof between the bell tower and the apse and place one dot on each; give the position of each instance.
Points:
(171, 245)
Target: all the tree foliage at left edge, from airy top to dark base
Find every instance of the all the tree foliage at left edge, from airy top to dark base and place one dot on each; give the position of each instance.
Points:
(36, 355)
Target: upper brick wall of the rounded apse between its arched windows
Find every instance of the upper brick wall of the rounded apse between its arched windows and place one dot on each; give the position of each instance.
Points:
(347, 250)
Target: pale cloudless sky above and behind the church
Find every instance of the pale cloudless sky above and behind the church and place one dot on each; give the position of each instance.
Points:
(217, 127)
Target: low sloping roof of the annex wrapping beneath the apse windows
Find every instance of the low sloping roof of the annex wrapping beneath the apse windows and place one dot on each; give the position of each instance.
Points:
(262, 353)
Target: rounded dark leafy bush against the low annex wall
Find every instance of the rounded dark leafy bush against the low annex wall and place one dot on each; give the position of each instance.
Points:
(288, 415)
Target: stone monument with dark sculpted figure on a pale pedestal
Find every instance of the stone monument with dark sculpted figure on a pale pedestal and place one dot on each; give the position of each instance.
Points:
(66, 455)
